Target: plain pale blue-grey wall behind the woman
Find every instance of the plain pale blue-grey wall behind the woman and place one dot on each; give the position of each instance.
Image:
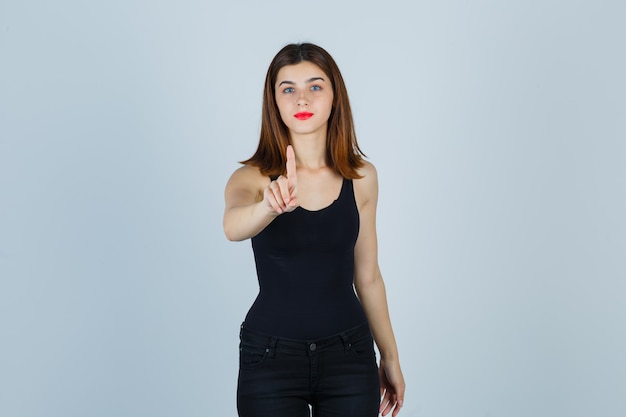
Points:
(499, 132)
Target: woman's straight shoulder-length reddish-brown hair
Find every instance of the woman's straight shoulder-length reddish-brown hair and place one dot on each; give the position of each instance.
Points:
(342, 150)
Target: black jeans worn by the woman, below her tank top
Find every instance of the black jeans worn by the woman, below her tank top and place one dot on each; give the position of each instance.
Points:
(337, 375)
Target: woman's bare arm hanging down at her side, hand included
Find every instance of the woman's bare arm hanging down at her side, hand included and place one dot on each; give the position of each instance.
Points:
(370, 288)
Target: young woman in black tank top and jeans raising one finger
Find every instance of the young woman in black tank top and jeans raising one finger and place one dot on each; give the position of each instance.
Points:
(307, 199)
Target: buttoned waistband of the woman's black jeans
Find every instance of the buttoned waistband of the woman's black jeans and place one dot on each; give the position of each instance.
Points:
(342, 340)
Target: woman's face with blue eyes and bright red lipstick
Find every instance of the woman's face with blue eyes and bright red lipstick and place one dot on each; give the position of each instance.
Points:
(304, 96)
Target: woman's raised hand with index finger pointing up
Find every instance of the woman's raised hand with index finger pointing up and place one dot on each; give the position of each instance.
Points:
(281, 195)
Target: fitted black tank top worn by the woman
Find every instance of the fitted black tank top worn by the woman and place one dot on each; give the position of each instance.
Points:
(305, 266)
